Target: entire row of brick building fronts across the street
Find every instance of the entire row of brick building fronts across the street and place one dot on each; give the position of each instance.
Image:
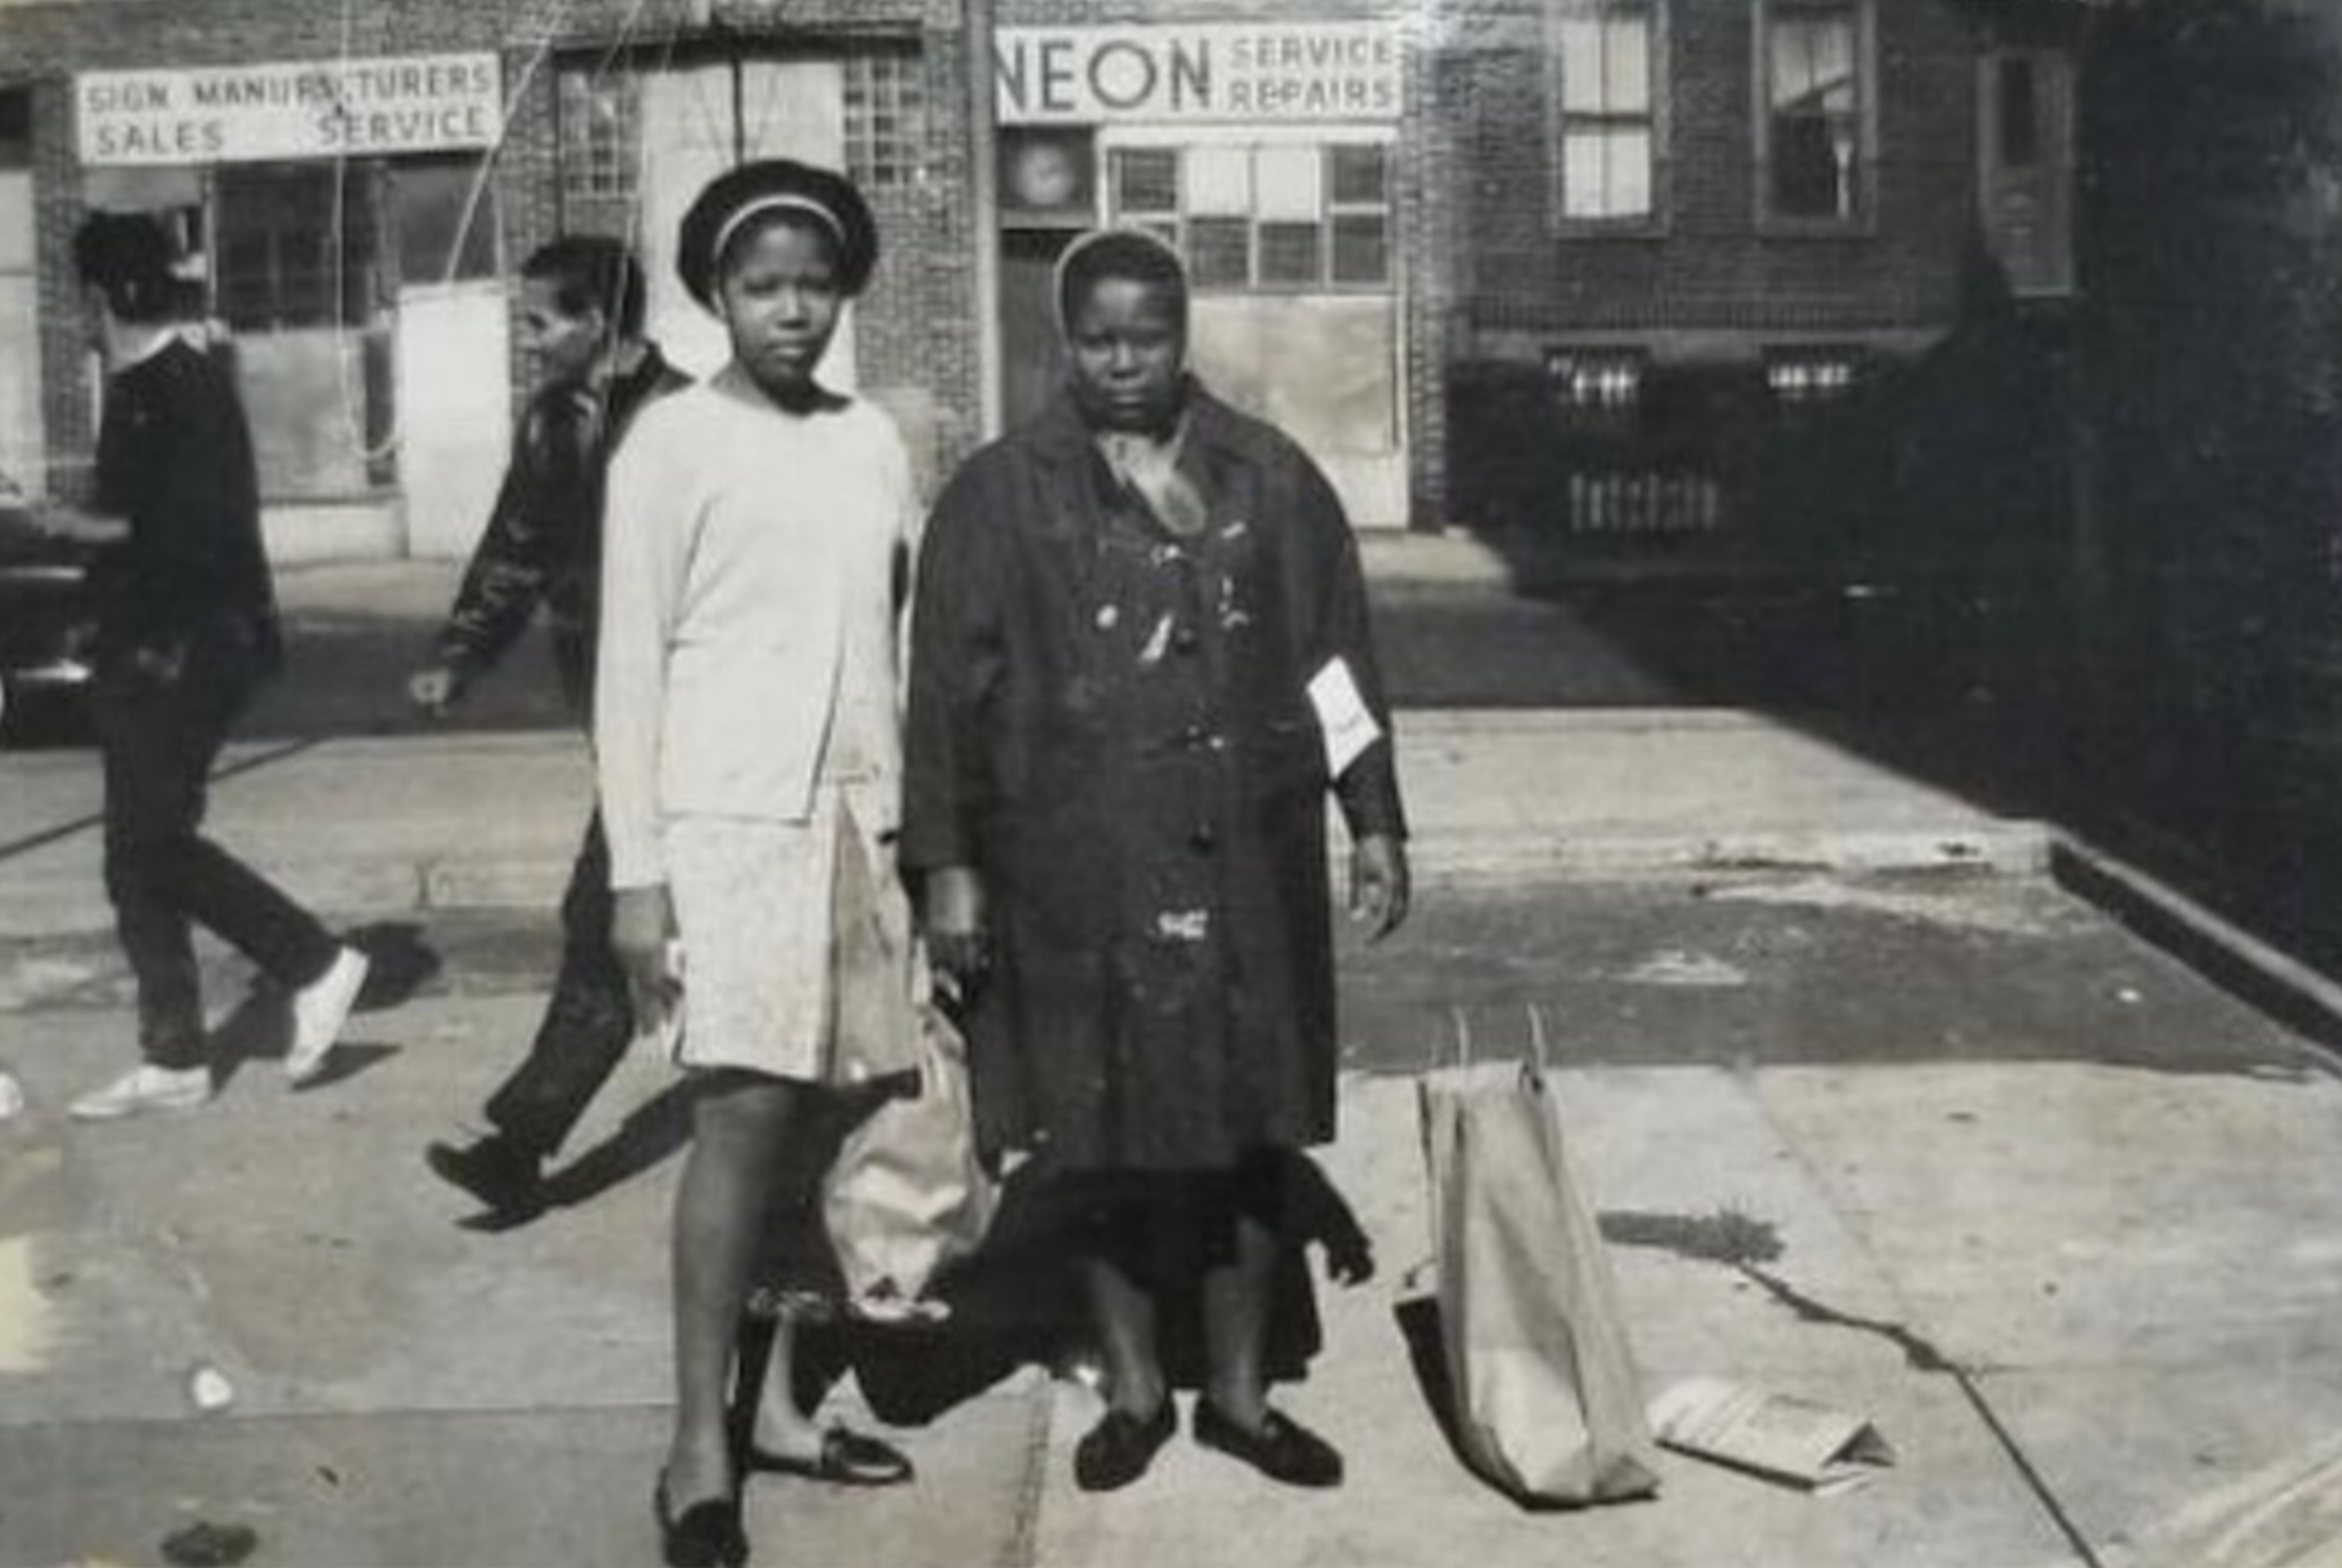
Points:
(1549, 264)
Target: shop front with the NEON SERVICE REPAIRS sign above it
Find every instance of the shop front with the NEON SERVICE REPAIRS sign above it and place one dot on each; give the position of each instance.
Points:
(1282, 146)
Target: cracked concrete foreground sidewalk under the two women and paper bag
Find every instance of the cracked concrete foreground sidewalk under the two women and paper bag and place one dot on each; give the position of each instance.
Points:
(2071, 1248)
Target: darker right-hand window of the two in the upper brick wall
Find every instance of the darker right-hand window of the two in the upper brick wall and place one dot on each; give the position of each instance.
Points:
(1816, 111)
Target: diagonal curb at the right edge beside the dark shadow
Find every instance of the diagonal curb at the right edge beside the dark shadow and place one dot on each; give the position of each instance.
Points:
(2212, 946)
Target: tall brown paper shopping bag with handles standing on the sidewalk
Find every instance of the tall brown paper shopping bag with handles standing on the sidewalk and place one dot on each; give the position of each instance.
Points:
(1542, 1386)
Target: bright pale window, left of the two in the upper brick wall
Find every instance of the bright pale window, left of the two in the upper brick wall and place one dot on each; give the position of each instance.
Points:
(1608, 111)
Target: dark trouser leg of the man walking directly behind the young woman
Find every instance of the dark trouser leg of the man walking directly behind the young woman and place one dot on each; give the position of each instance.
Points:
(587, 1025)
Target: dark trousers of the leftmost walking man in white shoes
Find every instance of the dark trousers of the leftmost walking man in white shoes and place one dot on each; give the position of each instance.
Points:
(160, 735)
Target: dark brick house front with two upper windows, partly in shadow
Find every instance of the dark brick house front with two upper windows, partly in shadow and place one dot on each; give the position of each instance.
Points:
(1685, 226)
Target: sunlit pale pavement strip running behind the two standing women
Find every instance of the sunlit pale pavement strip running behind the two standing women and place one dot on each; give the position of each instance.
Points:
(385, 826)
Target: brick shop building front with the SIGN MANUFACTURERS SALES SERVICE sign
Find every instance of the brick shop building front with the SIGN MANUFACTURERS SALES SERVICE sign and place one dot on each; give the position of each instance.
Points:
(369, 294)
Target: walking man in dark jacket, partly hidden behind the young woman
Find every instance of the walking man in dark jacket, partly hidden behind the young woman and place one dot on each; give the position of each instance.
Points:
(582, 313)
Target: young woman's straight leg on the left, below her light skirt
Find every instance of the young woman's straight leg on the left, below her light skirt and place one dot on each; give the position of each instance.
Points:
(741, 1126)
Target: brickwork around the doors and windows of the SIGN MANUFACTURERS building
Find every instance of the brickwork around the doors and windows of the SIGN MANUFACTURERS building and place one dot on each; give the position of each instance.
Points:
(917, 332)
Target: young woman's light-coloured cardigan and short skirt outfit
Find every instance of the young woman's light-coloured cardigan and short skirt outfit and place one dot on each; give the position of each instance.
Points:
(748, 725)
